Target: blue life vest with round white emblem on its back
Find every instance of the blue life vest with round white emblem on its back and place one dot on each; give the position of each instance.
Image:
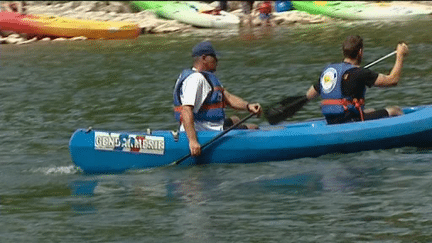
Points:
(334, 101)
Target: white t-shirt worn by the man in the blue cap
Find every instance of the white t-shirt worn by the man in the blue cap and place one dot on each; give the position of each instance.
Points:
(195, 89)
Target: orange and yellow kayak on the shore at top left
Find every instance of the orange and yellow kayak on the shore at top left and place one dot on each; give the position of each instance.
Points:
(50, 26)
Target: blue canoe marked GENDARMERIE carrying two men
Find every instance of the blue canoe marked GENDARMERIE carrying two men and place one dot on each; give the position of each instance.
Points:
(112, 152)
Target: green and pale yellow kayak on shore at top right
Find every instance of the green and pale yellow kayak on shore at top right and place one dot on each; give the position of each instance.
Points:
(360, 10)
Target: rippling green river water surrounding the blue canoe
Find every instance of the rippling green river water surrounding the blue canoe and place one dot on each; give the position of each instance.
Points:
(48, 90)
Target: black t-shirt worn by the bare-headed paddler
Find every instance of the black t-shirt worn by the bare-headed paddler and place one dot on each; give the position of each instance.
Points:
(354, 82)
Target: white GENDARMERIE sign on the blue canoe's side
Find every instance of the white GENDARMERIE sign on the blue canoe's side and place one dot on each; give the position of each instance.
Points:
(129, 143)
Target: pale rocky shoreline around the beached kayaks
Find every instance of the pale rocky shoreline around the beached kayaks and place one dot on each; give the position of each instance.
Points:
(148, 22)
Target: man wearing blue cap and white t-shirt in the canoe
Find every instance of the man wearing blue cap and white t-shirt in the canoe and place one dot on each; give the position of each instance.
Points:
(200, 99)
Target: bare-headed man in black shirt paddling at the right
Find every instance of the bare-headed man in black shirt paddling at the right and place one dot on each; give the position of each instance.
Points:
(343, 85)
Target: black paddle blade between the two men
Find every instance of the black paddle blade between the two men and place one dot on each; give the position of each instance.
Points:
(284, 109)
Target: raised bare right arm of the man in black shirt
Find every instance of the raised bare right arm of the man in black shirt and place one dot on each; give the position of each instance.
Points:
(393, 78)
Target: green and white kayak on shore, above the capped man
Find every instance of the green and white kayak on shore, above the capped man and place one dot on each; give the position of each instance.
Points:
(193, 13)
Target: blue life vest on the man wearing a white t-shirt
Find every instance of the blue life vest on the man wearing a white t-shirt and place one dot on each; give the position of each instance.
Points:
(213, 107)
